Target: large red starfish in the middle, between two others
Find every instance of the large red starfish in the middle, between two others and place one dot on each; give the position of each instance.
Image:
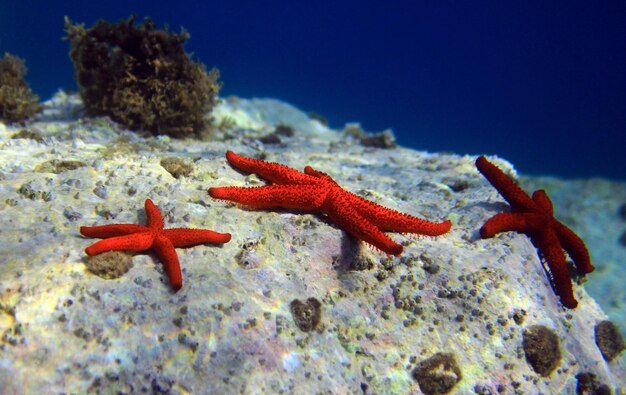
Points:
(316, 191)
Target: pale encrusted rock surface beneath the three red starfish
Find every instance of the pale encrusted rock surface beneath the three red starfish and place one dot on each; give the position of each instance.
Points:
(230, 329)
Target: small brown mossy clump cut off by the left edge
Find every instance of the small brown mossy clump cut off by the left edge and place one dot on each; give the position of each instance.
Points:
(17, 101)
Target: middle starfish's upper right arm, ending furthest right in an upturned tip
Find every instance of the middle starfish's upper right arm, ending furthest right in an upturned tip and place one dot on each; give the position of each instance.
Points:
(390, 220)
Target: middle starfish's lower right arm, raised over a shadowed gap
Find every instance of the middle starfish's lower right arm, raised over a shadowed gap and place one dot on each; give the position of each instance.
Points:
(344, 216)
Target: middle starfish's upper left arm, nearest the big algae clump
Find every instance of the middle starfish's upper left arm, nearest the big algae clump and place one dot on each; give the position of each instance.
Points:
(273, 172)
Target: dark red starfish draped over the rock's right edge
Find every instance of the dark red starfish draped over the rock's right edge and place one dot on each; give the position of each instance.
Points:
(535, 218)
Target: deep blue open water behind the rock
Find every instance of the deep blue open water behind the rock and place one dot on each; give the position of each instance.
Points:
(541, 84)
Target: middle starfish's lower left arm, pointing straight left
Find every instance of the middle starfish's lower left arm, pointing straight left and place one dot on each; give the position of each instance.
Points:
(302, 197)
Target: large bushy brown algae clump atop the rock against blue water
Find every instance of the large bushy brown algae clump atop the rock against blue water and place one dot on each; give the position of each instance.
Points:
(142, 77)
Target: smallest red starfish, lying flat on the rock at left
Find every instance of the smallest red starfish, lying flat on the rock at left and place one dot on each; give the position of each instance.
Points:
(131, 237)
